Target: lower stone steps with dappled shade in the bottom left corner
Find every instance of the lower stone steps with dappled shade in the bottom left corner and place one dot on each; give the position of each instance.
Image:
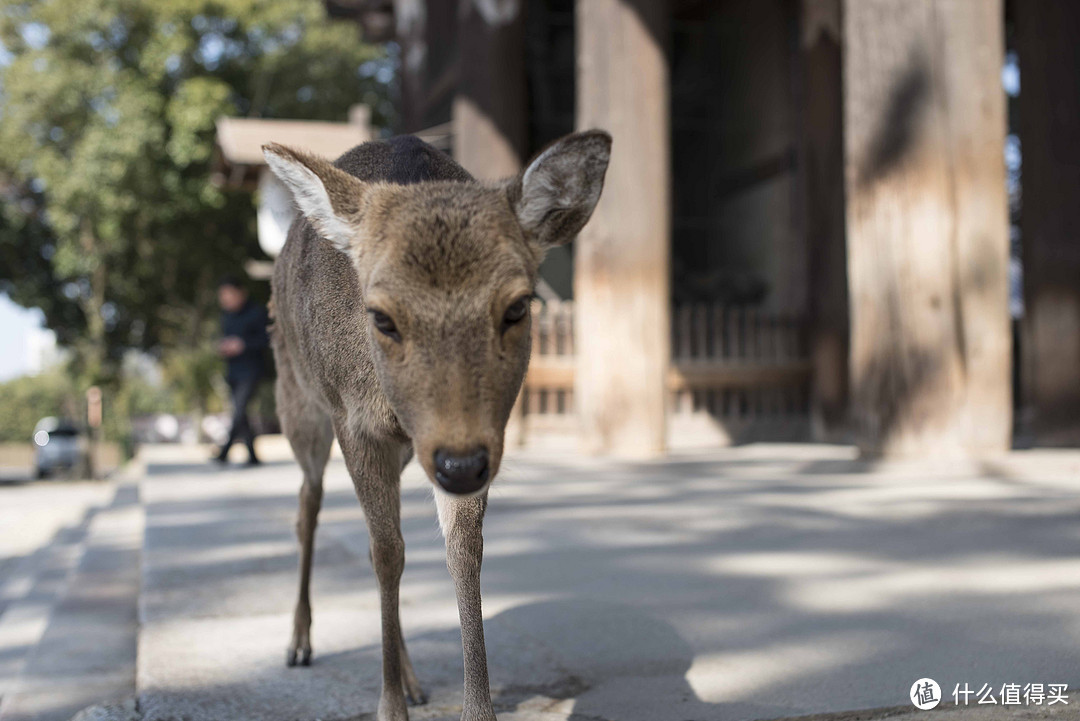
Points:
(69, 595)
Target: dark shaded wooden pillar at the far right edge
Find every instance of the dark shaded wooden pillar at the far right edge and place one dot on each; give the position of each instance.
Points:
(1048, 45)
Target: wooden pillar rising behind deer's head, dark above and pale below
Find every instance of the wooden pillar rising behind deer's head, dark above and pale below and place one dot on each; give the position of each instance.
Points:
(490, 108)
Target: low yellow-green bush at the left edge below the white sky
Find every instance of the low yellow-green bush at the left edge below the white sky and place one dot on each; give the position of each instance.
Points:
(28, 400)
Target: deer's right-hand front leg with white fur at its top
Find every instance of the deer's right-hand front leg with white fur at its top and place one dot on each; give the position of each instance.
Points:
(463, 521)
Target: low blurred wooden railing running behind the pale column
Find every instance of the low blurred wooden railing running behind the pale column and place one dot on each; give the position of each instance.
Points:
(737, 366)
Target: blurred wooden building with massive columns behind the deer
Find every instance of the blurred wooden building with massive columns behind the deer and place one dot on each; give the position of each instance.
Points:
(805, 232)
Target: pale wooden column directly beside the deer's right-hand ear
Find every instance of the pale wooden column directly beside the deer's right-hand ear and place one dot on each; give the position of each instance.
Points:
(622, 260)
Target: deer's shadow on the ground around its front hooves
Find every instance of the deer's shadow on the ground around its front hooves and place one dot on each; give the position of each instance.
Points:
(584, 658)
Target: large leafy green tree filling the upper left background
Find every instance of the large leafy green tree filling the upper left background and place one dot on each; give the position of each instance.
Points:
(112, 221)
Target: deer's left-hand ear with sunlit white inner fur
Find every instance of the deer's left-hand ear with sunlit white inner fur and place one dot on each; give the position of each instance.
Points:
(328, 197)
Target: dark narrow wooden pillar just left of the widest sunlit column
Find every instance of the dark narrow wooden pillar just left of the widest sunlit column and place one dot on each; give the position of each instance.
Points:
(821, 180)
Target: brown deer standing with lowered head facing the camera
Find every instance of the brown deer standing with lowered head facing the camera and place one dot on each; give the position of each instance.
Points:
(401, 328)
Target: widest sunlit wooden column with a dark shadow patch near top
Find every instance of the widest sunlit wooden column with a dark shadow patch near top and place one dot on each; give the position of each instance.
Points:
(925, 125)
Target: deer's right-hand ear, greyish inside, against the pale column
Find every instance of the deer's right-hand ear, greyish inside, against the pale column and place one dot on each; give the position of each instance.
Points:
(556, 196)
